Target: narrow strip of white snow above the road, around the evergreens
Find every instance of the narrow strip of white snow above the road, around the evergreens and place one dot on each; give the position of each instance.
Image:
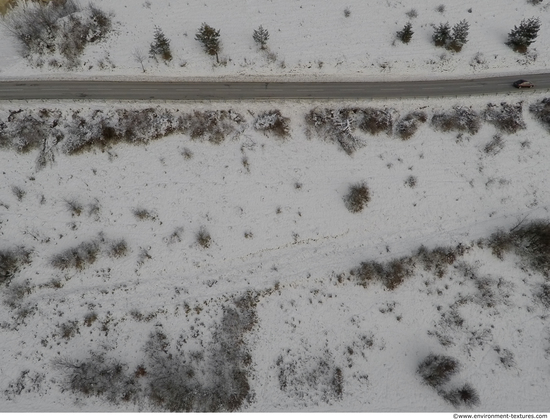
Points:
(309, 40)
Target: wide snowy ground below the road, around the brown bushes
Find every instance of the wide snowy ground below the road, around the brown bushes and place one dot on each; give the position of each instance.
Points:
(283, 241)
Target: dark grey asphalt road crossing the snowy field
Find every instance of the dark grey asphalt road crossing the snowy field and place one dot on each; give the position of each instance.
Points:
(129, 90)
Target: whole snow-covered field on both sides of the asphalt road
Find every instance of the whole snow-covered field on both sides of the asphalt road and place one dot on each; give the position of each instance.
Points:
(172, 256)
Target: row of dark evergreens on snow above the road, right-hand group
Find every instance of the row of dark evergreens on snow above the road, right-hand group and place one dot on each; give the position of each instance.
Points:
(519, 38)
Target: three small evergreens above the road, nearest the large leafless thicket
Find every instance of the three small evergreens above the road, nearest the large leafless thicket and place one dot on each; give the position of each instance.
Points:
(209, 38)
